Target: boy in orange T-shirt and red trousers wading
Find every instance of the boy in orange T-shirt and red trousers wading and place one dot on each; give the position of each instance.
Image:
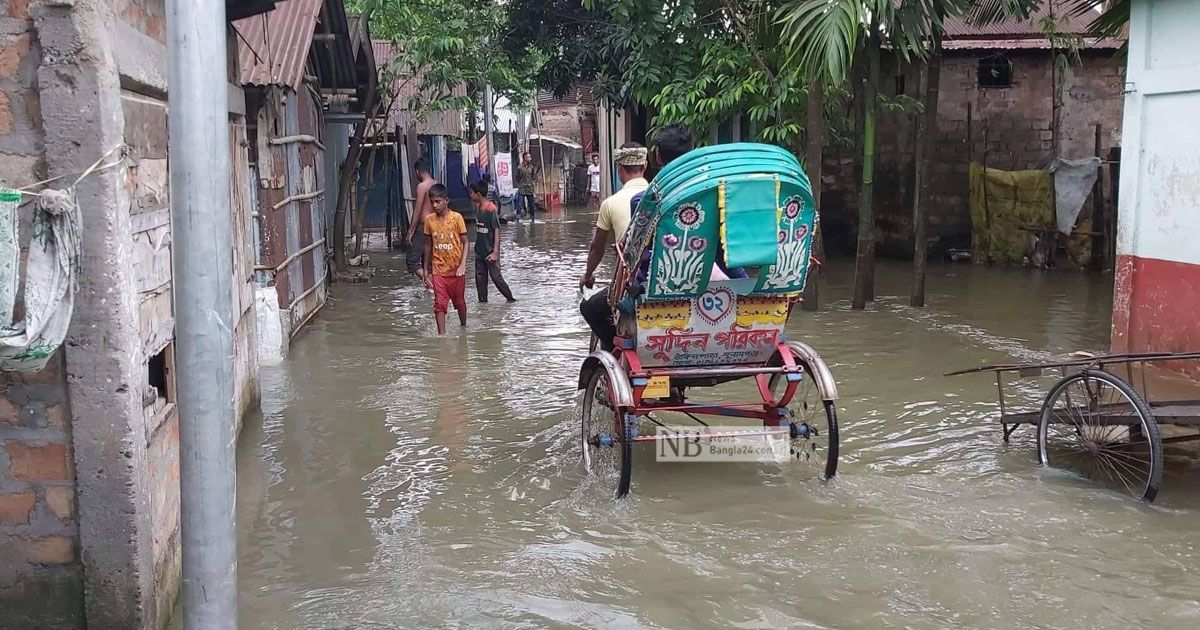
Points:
(446, 259)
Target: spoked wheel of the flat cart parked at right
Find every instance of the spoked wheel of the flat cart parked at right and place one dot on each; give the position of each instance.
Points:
(1096, 425)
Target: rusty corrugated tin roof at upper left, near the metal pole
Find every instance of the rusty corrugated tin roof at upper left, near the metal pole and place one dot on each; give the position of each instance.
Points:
(274, 47)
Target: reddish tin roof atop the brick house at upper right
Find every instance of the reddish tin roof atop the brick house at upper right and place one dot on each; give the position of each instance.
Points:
(1024, 34)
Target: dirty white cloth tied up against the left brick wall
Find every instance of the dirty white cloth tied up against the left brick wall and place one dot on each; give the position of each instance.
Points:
(52, 279)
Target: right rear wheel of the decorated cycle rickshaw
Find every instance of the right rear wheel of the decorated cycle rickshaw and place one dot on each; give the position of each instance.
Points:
(814, 427)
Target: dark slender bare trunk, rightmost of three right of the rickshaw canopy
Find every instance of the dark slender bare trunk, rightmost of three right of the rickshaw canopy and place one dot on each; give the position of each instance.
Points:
(927, 146)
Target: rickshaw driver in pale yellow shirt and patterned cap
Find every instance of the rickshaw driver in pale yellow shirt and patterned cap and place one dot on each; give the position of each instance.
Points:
(611, 225)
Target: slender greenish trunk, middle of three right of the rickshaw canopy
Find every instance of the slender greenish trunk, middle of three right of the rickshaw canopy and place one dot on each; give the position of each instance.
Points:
(865, 262)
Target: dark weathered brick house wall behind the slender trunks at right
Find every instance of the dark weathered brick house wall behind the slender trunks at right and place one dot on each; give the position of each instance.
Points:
(1018, 122)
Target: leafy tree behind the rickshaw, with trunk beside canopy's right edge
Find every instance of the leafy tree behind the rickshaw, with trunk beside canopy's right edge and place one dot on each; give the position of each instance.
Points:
(699, 63)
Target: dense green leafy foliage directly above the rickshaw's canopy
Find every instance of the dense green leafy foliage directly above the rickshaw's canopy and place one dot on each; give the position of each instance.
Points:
(698, 63)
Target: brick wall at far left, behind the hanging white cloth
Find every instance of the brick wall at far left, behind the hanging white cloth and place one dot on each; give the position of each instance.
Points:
(40, 571)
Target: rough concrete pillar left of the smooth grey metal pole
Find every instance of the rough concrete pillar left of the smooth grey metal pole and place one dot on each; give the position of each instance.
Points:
(83, 119)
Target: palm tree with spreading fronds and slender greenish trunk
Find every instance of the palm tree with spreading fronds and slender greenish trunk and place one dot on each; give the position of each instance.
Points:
(827, 37)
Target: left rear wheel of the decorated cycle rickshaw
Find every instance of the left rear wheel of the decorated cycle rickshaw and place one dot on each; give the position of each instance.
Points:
(607, 453)
